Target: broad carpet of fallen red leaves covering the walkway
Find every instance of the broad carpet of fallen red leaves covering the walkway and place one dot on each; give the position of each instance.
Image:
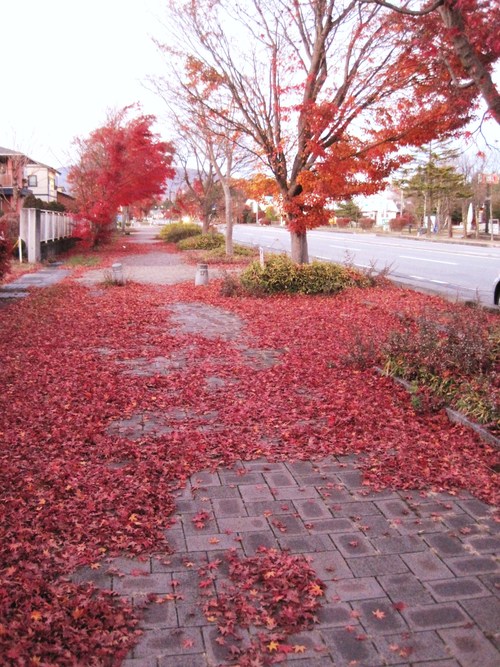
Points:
(78, 364)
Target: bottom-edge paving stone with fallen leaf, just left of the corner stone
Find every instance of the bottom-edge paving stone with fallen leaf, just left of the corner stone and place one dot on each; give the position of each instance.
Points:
(413, 648)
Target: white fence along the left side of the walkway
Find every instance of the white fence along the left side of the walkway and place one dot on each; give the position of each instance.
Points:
(38, 226)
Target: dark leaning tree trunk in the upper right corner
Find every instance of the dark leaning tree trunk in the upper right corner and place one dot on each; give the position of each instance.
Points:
(452, 18)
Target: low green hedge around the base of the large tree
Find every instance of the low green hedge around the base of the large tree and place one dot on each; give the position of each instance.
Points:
(281, 274)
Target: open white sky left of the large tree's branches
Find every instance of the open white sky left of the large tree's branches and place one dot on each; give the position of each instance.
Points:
(66, 63)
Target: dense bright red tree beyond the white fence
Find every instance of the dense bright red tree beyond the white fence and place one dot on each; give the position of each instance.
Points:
(120, 164)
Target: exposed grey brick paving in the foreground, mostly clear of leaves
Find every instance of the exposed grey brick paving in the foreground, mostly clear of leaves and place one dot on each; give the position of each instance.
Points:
(410, 579)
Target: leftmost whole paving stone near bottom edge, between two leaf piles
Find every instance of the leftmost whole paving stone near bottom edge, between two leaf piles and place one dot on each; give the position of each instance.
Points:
(177, 642)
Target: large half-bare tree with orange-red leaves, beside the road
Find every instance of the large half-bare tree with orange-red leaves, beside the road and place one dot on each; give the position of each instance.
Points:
(328, 91)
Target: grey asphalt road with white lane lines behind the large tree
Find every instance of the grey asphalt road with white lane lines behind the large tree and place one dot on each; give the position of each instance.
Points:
(457, 271)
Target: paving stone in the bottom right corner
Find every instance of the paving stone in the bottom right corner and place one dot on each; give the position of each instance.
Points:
(470, 647)
